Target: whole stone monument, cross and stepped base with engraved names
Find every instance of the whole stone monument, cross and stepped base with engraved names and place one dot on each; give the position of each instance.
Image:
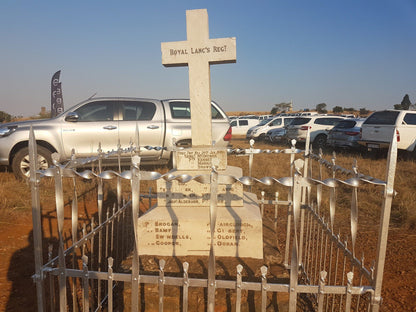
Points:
(180, 223)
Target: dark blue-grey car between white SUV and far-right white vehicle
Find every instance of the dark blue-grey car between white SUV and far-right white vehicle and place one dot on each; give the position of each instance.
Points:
(346, 133)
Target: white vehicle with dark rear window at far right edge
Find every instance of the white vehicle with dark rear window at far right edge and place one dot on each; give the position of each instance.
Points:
(377, 130)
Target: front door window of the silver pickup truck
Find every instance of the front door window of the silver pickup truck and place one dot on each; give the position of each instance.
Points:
(96, 111)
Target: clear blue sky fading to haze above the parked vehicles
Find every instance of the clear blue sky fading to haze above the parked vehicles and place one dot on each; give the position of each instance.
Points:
(349, 53)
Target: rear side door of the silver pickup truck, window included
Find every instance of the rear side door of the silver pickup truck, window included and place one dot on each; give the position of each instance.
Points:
(149, 118)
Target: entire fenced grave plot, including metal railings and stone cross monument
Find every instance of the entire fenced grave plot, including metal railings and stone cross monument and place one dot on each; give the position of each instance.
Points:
(204, 208)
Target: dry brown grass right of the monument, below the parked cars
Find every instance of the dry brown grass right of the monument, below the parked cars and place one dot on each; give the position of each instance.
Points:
(370, 197)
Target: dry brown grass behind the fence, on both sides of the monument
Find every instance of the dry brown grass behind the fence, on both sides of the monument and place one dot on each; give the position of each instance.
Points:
(15, 197)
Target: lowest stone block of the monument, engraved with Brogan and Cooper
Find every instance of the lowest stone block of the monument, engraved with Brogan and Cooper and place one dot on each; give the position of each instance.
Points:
(185, 231)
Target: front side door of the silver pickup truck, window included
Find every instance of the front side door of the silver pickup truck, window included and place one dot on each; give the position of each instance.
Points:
(94, 124)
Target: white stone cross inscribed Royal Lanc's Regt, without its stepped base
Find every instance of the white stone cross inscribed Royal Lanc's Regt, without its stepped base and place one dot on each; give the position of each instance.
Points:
(198, 53)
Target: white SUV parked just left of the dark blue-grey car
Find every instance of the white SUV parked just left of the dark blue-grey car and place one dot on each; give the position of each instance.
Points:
(319, 126)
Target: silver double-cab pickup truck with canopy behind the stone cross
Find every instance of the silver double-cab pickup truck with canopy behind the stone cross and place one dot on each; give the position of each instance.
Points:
(107, 121)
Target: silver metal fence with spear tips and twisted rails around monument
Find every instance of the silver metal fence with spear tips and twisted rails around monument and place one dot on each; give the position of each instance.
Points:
(323, 269)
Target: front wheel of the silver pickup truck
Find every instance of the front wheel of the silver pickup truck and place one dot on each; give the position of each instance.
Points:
(21, 163)
